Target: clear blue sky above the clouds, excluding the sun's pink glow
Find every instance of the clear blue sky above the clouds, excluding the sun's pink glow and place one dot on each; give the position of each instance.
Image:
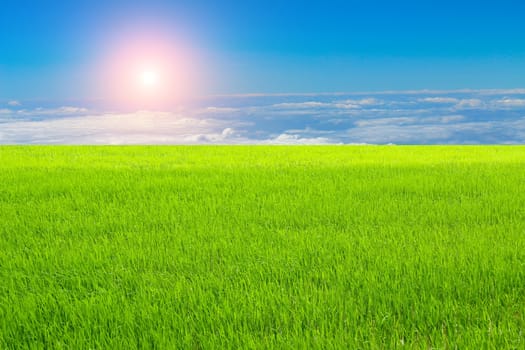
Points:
(49, 49)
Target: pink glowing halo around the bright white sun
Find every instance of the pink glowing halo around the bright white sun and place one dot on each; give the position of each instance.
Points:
(151, 72)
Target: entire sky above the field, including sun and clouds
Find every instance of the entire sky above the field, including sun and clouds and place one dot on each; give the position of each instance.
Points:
(205, 71)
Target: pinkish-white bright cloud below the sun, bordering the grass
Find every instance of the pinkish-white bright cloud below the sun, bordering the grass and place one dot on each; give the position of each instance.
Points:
(130, 128)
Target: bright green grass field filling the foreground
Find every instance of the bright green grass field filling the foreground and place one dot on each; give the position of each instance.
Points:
(262, 247)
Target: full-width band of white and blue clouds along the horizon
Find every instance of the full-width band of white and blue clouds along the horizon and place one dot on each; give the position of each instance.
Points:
(409, 117)
